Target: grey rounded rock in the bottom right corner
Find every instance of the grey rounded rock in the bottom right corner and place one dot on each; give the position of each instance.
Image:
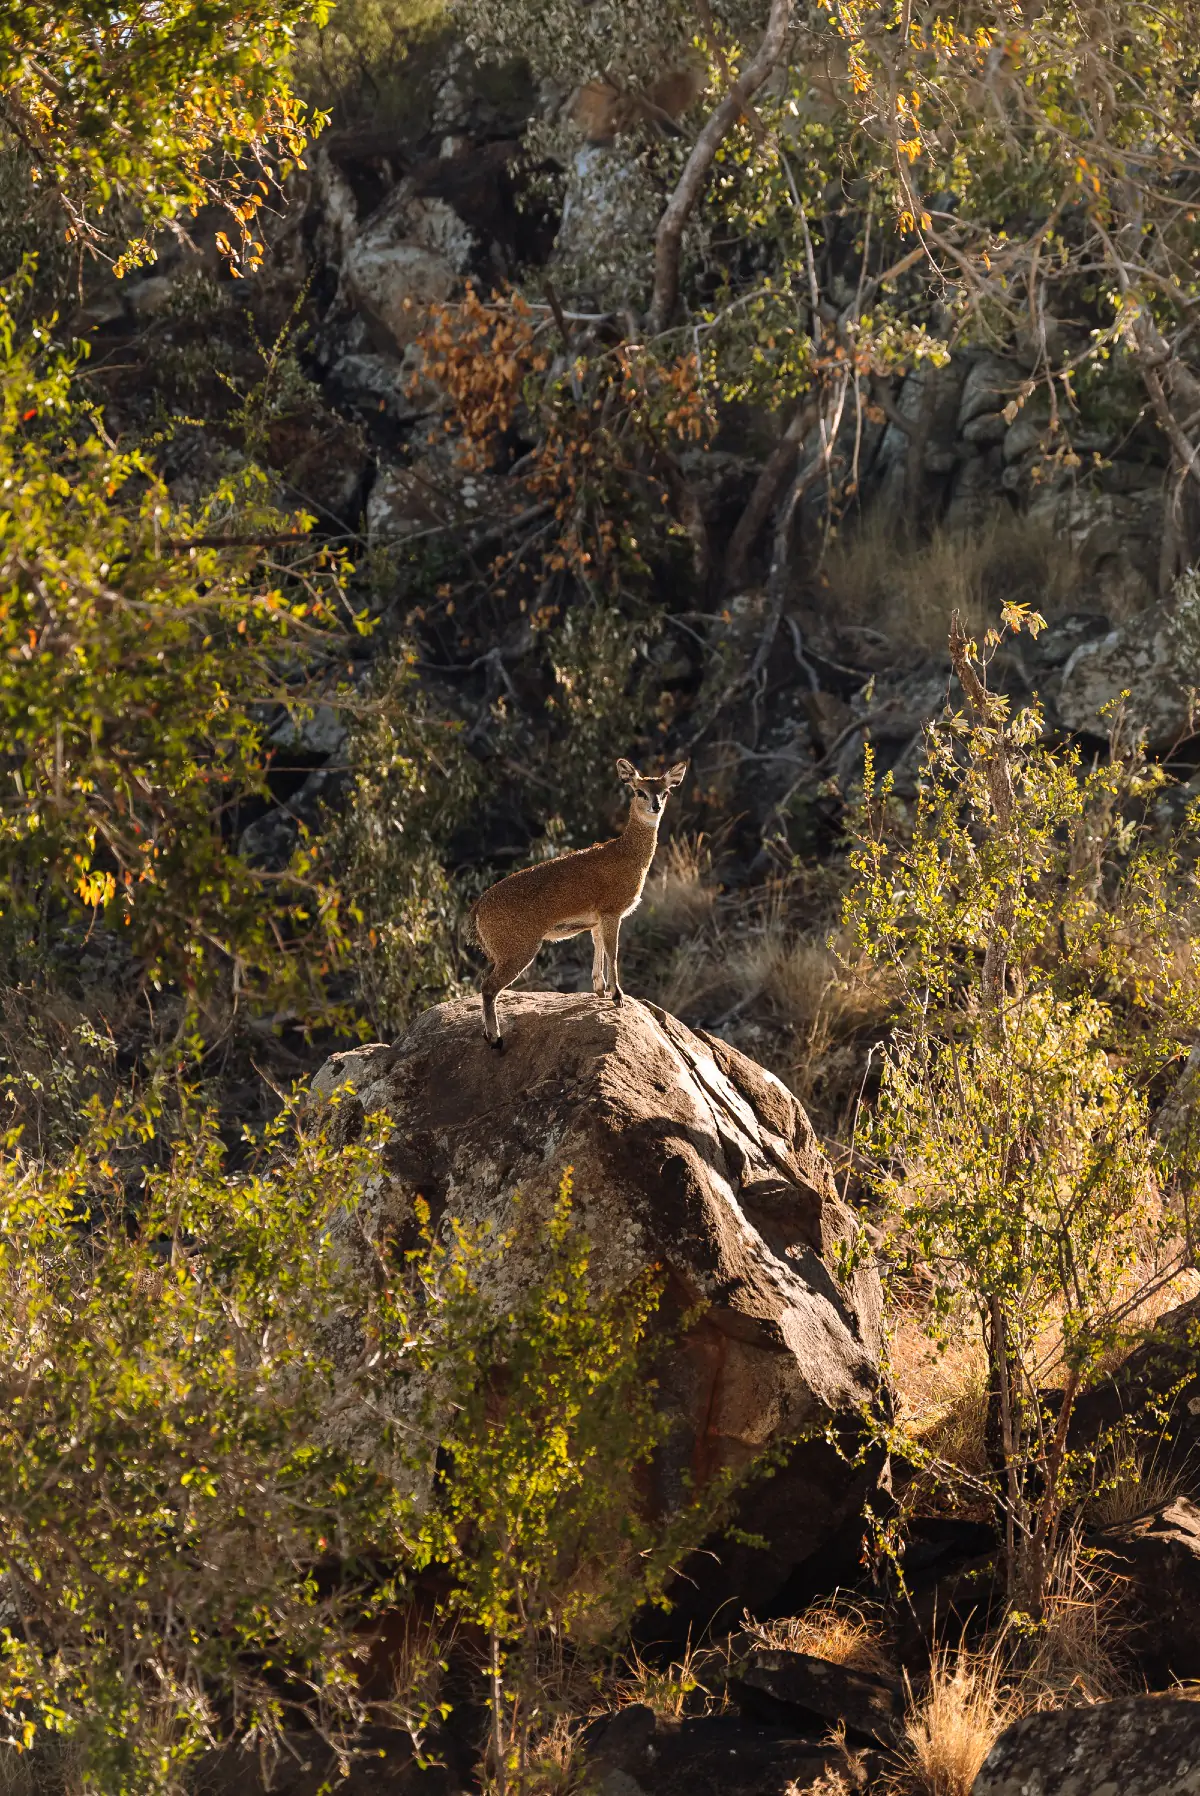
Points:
(1142, 1747)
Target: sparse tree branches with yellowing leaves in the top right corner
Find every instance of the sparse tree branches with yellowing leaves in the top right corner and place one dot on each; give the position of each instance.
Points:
(1048, 163)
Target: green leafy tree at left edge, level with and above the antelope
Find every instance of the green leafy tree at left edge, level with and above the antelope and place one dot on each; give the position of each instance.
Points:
(136, 651)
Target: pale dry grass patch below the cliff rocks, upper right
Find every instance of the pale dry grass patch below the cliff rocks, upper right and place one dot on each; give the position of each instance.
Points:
(908, 592)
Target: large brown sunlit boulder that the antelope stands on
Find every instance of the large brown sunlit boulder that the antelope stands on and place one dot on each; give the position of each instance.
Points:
(687, 1158)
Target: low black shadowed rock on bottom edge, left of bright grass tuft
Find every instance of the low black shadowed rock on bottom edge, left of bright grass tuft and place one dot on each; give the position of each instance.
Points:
(640, 1754)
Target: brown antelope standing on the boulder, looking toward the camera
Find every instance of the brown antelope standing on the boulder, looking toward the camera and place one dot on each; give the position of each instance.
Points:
(588, 890)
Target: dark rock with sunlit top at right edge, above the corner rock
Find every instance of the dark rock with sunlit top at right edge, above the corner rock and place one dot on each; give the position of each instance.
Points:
(1160, 1556)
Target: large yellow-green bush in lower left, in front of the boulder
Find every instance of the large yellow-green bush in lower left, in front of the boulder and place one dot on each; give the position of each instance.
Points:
(240, 1423)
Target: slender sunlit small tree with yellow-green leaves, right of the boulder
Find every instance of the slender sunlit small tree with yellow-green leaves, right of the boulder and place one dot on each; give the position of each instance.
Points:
(1036, 937)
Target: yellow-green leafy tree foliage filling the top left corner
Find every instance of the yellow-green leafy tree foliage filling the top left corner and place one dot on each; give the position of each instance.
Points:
(136, 119)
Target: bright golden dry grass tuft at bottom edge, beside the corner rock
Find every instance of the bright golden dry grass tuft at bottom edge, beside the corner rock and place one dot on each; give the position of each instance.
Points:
(953, 1725)
